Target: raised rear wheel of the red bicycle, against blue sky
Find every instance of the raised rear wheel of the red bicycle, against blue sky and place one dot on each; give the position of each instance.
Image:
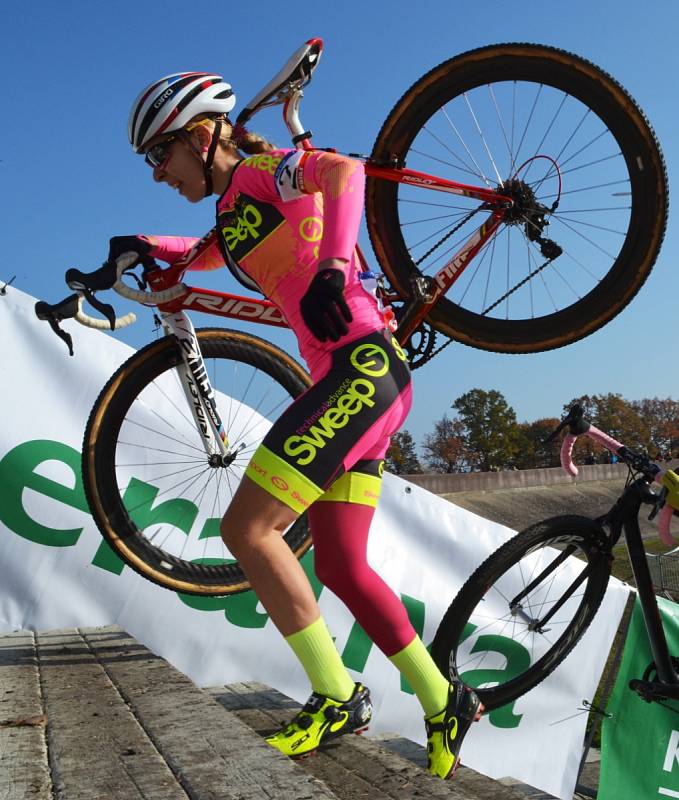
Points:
(599, 271)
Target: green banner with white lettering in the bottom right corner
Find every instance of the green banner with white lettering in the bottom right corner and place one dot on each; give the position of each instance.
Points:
(640, 741)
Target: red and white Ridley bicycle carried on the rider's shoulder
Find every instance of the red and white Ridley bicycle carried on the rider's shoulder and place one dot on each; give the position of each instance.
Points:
(543, 218)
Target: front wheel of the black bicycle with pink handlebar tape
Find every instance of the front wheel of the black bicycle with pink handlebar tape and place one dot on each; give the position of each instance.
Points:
(525, 669)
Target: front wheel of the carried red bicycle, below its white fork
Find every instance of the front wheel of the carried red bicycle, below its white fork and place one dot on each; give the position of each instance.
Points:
(139, 399)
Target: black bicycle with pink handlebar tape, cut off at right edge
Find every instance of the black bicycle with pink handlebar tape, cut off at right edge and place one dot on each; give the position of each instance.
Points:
(543, 587)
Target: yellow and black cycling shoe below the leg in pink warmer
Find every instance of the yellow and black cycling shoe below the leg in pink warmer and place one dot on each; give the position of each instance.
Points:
(447, 729)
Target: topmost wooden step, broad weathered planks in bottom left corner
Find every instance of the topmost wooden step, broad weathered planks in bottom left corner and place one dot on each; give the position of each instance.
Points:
(121, 724)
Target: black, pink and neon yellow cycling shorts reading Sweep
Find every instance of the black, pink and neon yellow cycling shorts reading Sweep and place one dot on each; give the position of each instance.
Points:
(330, 442)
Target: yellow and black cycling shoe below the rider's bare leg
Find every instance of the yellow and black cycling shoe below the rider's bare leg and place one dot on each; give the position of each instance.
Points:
(321, 720)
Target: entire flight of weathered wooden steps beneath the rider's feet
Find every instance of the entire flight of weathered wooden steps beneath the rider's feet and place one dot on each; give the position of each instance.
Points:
(91, 714)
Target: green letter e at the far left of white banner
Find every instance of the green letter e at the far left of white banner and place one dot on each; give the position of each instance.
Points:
(17, 473)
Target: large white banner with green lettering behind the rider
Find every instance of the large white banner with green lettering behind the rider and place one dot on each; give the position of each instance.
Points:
(55, 573)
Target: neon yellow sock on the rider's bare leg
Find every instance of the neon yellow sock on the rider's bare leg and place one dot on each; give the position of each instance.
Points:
(315, 648)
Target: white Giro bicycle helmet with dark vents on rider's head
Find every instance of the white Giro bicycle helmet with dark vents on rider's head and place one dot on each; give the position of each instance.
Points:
(170, 103)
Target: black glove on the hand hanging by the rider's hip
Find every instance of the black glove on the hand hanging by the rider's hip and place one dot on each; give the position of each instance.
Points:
(323, 307)
